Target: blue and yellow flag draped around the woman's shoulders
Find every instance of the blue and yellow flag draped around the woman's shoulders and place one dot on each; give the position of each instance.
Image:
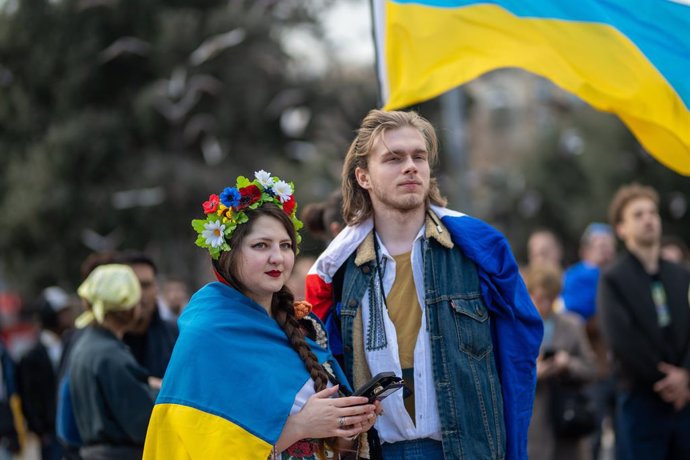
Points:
(231, 382)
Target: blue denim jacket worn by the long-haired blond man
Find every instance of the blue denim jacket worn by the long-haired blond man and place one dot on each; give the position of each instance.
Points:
(466, 380)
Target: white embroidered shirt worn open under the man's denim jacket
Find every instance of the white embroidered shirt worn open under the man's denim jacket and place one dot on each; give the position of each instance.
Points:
(395, 424)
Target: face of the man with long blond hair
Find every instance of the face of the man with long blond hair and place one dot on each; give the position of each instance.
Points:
(398, 173)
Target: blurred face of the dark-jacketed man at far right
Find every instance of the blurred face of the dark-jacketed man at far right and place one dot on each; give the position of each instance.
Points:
(640, 225)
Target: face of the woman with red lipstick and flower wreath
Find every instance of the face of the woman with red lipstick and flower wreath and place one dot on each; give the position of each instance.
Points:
(265, 260)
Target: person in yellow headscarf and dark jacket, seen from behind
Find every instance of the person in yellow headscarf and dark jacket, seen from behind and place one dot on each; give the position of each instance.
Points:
(110, 392)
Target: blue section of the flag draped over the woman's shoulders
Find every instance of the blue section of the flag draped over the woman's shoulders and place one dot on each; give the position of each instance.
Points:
(234, 361)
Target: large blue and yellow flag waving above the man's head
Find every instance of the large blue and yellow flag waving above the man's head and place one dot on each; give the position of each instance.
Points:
(629, 58)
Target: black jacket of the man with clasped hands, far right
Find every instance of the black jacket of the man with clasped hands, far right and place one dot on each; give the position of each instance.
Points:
(629, 320)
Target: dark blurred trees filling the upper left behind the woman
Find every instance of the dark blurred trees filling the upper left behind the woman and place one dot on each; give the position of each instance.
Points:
(119, 116)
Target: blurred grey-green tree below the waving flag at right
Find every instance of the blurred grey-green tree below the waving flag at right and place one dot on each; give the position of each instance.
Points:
(581, 159)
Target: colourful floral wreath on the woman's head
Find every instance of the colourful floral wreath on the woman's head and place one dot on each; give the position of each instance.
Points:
(226, 211)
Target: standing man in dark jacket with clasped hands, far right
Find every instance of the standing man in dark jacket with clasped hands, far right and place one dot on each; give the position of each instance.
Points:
(645, 317)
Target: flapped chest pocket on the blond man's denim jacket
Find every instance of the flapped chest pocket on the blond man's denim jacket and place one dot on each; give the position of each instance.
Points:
(472, 326)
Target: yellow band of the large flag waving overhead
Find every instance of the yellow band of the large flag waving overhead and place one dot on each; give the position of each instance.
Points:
(428, 51)
